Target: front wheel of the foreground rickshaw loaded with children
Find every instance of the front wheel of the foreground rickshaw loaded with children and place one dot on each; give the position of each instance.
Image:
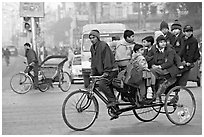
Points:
(80, 110)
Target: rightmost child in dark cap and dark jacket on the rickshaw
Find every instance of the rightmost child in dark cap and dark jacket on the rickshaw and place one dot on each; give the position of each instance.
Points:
(190, 54)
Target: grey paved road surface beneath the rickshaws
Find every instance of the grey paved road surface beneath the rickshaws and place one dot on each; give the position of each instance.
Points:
(37, 113)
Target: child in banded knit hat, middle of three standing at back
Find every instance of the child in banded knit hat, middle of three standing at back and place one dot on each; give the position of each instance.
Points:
(178, 44)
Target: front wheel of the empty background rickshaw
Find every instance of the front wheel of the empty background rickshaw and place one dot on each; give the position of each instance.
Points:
(21, 83)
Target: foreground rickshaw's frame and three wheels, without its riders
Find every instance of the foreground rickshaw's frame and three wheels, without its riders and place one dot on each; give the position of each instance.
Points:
(80, 108)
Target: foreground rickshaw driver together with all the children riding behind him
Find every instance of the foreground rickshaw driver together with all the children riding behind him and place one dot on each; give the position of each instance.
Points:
(167, 54)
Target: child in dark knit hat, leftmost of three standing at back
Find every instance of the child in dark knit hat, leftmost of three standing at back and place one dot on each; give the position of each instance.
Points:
(164, 28)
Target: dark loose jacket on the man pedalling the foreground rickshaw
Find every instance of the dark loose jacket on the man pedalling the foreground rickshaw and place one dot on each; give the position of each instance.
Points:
(102, 58)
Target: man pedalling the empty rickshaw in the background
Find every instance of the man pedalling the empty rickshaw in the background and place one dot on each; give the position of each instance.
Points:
(32, 61)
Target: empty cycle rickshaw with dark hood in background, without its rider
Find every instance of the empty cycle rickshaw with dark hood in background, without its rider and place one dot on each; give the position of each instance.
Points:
(22, 82)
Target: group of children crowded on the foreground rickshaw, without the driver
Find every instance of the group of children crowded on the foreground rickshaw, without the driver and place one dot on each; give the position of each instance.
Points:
(165, 55)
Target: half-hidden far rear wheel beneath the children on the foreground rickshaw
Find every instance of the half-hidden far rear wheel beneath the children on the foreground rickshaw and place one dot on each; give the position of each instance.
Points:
(148, 113)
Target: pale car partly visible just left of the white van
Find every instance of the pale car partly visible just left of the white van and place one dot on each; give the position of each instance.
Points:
(76, 71)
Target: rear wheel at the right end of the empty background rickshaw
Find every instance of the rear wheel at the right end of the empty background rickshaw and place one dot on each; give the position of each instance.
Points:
(65, 82)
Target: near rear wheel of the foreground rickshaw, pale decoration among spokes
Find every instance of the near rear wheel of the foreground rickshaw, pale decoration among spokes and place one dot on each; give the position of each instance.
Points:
(180, 105)
